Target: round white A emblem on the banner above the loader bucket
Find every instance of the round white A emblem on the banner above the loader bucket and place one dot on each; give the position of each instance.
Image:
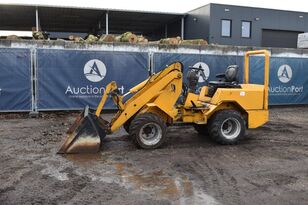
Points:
(95, 70)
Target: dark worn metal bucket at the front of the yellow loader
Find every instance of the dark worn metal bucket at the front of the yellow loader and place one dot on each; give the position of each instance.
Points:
(85, 135)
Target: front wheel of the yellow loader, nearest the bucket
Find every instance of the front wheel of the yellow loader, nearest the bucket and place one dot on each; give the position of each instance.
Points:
(148, 131)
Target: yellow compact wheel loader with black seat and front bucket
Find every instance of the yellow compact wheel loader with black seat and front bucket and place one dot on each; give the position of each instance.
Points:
(223, 110)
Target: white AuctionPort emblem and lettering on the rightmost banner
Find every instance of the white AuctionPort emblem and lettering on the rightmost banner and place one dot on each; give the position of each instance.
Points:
(285, 75)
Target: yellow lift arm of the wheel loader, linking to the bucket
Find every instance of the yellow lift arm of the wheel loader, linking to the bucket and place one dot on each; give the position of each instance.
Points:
(168, 81)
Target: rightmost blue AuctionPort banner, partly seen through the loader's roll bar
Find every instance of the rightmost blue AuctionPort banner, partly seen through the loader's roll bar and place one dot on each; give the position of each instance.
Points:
(288, 79)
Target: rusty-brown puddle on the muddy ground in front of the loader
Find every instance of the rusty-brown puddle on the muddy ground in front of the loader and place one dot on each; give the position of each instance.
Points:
(179, 188)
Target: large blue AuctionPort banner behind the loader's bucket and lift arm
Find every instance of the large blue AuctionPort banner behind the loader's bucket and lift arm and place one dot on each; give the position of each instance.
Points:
(72, 79)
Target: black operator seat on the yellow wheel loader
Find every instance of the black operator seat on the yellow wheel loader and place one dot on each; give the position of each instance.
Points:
(227, 80)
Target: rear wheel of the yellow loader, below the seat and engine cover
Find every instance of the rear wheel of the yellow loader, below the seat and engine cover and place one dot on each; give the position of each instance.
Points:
(227, 127)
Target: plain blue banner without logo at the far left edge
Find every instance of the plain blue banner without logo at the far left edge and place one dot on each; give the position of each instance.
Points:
(15, 80)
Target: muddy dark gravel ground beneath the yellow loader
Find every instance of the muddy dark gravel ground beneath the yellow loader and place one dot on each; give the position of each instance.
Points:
(270, 166)
